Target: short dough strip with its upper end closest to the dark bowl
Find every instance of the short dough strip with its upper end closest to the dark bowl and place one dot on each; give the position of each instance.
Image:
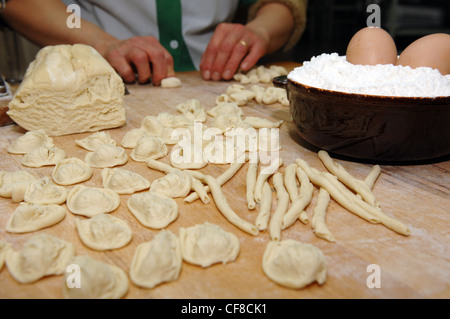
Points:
(359, 186)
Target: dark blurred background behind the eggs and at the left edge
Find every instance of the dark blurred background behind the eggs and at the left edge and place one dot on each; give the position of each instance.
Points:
(330, 26)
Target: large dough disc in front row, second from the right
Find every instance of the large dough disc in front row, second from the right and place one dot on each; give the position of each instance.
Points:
(207, 244)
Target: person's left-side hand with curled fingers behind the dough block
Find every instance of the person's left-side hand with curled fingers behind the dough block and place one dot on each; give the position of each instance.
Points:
(144, 55)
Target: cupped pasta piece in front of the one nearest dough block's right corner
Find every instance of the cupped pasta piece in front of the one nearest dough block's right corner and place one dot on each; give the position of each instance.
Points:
(106, 156)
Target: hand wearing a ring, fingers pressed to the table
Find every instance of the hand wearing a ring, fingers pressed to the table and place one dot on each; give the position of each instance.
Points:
(232, 46)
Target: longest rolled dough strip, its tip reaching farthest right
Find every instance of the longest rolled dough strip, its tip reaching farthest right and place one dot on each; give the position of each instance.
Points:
(350, 201)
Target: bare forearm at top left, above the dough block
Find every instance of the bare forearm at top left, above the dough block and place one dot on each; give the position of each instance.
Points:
(46, 24)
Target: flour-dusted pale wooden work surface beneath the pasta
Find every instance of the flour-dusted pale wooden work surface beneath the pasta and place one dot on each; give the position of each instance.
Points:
(417, 266)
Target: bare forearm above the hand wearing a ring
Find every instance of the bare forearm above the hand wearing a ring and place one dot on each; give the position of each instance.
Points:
(274, 22)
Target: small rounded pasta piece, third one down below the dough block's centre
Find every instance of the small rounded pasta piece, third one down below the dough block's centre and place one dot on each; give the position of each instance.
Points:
(71, 171)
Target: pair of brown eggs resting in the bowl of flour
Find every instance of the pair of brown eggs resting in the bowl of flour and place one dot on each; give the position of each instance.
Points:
(373, 45)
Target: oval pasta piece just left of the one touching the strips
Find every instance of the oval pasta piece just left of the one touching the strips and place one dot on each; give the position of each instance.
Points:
(123, 181)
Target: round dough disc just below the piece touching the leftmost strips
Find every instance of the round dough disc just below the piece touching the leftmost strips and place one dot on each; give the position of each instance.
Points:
(153, 210)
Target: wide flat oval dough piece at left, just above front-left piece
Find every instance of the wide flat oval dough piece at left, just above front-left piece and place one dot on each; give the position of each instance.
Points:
(31, 217)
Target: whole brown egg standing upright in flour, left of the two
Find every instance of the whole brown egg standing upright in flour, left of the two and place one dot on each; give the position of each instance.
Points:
(372, 46)
